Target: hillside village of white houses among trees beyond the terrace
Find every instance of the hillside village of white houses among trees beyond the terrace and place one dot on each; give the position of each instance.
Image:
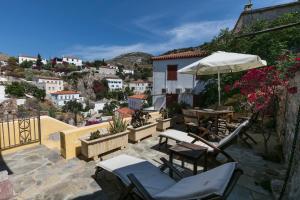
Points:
(95, 84)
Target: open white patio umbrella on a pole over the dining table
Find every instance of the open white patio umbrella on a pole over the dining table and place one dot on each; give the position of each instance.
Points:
(223, 62)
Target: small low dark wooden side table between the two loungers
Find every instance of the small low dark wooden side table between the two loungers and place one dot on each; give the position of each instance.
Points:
(191, 152)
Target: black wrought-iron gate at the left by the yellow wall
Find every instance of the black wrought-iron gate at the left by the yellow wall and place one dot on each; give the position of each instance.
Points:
(19, 129)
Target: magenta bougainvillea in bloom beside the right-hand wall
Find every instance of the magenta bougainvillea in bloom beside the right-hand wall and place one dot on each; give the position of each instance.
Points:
(261, 86)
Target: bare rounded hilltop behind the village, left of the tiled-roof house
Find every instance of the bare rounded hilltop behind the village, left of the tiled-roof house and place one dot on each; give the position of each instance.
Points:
(130, 60)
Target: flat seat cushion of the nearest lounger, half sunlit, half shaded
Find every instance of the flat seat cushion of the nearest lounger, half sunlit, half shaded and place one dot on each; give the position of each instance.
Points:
(150, 176)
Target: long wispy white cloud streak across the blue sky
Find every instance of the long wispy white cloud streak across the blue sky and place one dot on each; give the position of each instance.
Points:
(185, 35)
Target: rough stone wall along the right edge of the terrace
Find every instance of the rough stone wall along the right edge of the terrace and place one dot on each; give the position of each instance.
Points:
(292, 104)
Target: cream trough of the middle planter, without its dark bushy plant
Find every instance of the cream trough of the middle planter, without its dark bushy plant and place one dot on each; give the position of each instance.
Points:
(136, 134)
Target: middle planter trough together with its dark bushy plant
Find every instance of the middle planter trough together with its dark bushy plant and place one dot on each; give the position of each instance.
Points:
(140, 126)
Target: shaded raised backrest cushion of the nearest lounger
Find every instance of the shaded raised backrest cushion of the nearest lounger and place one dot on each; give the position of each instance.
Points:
(199, 186)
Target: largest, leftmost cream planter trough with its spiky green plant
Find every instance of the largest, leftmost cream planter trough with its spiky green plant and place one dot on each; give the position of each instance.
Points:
(105, 140)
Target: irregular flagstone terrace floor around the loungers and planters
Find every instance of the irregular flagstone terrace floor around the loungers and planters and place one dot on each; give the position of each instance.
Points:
(41, 173)
